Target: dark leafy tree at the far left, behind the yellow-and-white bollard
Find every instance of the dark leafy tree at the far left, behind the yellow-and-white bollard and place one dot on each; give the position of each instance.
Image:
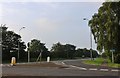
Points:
(10, 44)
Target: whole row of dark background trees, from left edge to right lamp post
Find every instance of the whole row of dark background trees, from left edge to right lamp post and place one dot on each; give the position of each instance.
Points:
(10, 48)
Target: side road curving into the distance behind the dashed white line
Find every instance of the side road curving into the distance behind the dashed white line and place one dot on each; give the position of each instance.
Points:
(80, 65)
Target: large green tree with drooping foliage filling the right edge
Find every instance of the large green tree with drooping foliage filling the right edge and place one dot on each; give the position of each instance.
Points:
(105, 26)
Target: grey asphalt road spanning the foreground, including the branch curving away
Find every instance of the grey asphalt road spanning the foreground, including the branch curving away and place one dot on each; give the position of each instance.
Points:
(72, 68)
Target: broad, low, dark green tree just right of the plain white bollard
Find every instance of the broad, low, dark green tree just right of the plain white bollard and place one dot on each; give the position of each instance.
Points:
(63, 51)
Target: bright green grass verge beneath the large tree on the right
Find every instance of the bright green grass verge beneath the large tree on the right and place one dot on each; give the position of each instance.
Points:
(100, 61)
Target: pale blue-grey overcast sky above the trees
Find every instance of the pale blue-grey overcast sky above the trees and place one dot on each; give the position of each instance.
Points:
(51, 22)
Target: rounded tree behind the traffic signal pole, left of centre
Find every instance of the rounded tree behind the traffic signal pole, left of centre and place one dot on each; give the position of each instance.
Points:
(35, 47)
